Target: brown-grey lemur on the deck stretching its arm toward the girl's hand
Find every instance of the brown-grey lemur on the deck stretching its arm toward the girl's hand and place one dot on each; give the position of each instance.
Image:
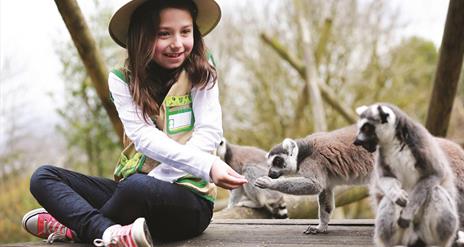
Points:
(327, 159)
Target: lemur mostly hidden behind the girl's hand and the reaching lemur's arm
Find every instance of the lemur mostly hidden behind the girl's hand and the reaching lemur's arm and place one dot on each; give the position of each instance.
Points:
(251, 163)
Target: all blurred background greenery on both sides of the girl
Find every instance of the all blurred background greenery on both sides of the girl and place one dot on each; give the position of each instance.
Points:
(357, 53)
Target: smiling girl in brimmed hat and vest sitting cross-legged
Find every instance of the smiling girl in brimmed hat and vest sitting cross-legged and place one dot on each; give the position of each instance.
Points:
(167, 100)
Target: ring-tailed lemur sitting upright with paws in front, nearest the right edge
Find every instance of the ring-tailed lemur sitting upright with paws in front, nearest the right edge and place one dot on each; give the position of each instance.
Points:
(412, 180)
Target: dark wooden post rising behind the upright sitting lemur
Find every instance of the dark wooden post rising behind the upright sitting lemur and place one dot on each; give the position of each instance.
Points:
(448, 70)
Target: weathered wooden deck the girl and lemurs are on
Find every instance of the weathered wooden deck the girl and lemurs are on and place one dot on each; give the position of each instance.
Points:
(248, 233)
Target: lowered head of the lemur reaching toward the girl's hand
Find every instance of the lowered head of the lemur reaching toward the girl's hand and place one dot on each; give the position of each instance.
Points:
(283, 159)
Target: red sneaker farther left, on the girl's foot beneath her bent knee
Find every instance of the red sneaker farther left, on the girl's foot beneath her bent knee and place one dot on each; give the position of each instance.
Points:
(41, 224)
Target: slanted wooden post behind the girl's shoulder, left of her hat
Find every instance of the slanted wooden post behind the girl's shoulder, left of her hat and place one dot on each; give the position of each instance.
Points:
(90, 55)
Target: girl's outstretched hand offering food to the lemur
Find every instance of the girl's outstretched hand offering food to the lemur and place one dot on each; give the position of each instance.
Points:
(224, 176)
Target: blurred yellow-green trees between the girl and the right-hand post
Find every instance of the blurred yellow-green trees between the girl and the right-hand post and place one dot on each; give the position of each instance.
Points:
(353, 54)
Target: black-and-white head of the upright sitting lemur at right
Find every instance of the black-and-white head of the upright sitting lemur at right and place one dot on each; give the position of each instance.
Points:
(374, 123)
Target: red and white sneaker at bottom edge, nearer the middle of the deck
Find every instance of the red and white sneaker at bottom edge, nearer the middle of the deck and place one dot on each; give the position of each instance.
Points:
(133, 235)
